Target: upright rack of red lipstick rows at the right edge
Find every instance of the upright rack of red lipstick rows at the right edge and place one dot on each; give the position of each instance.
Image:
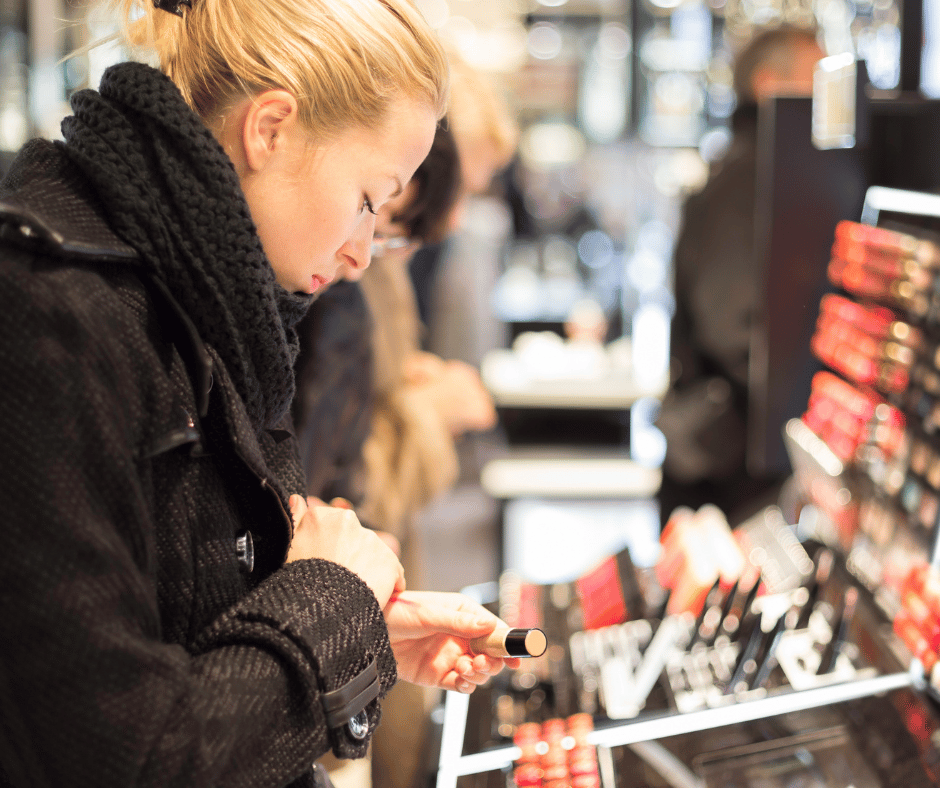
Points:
(877, 406)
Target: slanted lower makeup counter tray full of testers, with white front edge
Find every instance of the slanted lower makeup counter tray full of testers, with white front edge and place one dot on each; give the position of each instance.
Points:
(800, 627)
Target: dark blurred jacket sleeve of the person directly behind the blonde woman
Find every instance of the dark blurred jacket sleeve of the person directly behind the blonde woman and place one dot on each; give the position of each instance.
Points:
(332, 409)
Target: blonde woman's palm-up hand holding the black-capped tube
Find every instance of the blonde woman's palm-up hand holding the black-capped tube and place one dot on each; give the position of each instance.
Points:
(430, 634)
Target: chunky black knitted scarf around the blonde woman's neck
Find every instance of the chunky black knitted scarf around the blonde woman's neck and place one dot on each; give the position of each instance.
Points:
(172, 193)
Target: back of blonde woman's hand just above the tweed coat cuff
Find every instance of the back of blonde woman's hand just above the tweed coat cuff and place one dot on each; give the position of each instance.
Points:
(335, 534)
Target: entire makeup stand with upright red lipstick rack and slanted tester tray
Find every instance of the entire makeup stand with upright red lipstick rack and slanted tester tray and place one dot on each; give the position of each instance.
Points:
(802, 648)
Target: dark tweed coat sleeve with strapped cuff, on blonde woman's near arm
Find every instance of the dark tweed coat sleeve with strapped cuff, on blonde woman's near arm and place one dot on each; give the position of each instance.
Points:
(90, 694)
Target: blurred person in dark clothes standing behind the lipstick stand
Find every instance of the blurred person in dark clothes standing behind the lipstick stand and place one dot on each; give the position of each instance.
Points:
(704, 413)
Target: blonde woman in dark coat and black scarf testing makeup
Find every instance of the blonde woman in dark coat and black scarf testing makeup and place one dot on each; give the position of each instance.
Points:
(173, 613)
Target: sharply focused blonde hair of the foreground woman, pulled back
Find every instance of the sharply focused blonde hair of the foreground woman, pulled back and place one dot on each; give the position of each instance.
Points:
(343, 60)
